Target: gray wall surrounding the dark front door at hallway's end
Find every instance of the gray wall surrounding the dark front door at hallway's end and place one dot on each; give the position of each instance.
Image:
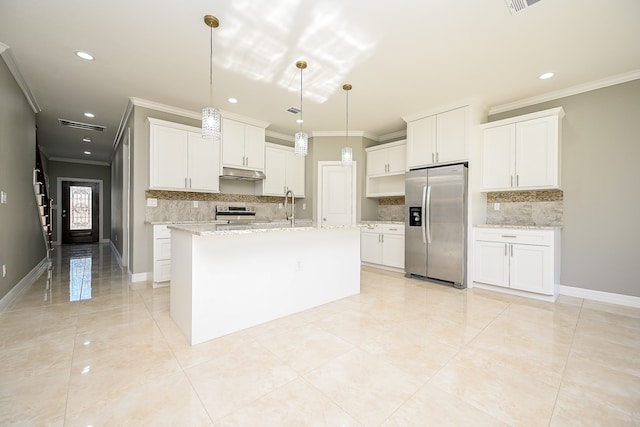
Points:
(81, 171)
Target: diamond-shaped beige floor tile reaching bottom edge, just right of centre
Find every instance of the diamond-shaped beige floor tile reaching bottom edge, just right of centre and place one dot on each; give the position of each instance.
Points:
(365, 386)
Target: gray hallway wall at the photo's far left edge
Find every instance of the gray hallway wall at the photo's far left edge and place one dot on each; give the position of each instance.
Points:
(22, 246)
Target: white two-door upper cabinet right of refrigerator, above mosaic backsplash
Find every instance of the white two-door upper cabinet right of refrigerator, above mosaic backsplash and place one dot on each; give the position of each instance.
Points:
(522, 153)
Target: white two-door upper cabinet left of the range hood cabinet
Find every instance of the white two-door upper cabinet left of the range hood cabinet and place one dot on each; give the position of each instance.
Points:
(180, 159)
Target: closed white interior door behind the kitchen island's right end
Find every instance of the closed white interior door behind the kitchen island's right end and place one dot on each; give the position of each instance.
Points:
(337, 193)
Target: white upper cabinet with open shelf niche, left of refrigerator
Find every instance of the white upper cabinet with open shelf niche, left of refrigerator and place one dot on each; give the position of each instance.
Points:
(386, 165)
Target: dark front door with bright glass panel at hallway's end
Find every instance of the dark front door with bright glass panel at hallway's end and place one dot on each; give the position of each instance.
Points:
(80, 212)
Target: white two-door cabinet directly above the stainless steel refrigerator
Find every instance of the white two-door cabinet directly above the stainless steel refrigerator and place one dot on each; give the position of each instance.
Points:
(438, 139)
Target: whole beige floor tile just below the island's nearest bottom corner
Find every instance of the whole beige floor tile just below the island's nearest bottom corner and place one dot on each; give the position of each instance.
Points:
(234, 379)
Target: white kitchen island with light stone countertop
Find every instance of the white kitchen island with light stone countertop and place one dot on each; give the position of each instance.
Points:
(227, 278)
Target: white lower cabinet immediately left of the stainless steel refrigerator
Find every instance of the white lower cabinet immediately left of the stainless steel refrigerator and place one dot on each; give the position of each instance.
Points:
(383, 244)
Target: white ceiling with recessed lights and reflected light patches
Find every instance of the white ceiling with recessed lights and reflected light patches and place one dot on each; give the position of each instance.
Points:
(401, 57)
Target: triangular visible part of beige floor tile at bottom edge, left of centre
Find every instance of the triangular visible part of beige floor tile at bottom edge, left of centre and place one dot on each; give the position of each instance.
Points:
(295, 404)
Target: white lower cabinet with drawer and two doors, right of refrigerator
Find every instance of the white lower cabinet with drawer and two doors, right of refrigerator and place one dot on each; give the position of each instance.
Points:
(520, 259)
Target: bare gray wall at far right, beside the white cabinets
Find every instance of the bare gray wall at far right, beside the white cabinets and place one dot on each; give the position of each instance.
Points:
(600, 179)
